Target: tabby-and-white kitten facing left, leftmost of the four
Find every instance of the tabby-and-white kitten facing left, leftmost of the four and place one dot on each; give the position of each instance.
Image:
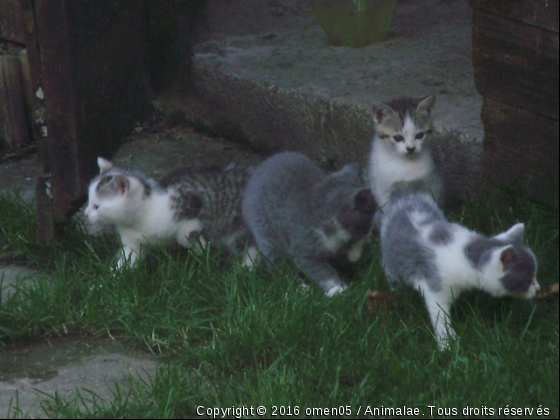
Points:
(191, 206)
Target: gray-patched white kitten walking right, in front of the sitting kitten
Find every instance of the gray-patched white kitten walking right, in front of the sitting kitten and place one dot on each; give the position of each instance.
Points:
(442, 259)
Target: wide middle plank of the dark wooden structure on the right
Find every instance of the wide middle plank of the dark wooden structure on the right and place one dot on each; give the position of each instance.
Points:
(516, 64)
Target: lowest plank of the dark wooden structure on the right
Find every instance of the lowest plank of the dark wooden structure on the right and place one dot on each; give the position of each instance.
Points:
(520, 146)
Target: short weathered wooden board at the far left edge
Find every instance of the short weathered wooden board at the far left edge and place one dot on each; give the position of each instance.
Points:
(14, 122)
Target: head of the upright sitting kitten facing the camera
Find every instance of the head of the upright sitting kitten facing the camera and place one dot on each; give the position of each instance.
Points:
(404, 123)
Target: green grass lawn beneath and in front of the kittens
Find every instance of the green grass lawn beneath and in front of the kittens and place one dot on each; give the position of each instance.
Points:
(228, 337)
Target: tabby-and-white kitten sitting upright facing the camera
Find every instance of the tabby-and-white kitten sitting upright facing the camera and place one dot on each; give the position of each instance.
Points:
(400, 152)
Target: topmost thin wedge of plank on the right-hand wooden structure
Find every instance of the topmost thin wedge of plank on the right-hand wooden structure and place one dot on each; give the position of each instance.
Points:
(540, 13)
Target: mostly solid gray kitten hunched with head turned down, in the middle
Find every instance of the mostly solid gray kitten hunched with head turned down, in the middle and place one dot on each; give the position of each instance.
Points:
(294, 210)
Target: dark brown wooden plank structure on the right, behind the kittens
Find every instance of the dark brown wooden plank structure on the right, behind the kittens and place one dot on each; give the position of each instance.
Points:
(515, 56)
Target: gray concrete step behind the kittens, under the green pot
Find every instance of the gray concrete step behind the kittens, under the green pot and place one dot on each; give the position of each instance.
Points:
(276, 84)
